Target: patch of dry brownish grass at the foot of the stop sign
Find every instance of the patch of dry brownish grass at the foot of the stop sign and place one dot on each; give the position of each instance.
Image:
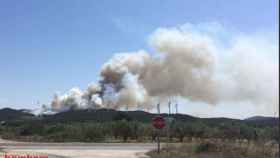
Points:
(211, 149)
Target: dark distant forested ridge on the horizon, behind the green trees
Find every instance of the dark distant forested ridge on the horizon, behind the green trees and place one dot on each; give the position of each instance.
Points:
(104, 115)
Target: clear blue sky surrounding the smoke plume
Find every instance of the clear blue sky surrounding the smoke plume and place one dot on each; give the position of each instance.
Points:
(49, 46)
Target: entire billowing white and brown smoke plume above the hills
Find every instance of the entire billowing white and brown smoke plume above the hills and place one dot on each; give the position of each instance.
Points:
(190, 62)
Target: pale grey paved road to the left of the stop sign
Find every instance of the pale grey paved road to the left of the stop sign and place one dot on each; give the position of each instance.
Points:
(81, 150)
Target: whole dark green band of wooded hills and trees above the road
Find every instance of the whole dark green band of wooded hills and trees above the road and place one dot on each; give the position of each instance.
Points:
(115, 126)
